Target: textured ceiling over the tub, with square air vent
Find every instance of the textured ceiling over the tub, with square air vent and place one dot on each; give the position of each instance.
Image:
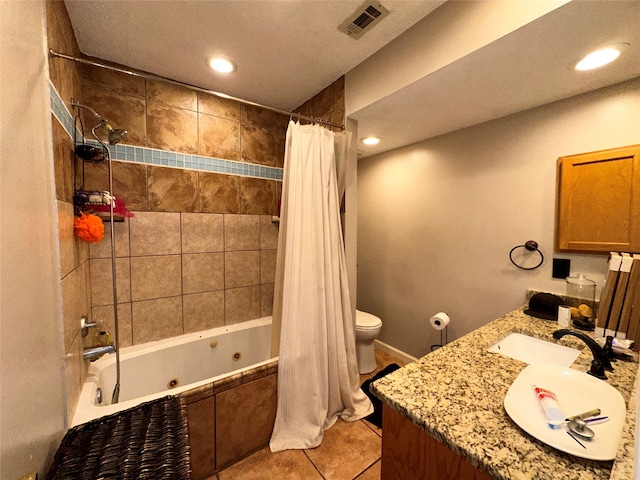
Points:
(286, 50)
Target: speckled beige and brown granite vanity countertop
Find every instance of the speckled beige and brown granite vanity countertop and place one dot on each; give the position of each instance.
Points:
(456, 394)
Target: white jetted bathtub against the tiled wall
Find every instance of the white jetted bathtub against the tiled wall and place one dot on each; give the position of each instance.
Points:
(173, 366)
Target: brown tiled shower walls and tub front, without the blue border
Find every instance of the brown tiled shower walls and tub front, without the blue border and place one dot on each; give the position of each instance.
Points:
(202, 177)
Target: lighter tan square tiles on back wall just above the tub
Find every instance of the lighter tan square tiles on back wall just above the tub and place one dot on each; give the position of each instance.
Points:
(184, 272)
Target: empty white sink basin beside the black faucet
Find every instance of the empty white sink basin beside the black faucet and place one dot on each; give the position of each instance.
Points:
(534, 351)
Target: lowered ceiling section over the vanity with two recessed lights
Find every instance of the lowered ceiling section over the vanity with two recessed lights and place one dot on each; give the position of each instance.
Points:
(529, 67)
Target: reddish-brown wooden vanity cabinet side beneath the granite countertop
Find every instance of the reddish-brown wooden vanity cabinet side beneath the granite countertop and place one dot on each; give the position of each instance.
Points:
(410, 453)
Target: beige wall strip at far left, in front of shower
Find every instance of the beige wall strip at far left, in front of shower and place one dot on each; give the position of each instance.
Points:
(32, 389)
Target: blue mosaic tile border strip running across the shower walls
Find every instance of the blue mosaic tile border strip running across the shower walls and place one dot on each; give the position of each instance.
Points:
(152, 156)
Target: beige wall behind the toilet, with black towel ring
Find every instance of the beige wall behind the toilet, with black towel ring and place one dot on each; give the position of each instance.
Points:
(436, 220)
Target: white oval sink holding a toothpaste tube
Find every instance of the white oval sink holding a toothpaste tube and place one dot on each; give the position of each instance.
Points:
(576, 392)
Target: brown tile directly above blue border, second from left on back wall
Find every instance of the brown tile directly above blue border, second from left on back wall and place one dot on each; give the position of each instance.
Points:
(171, 128)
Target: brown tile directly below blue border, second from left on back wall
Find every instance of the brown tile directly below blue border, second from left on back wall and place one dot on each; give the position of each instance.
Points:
(173, 189)
